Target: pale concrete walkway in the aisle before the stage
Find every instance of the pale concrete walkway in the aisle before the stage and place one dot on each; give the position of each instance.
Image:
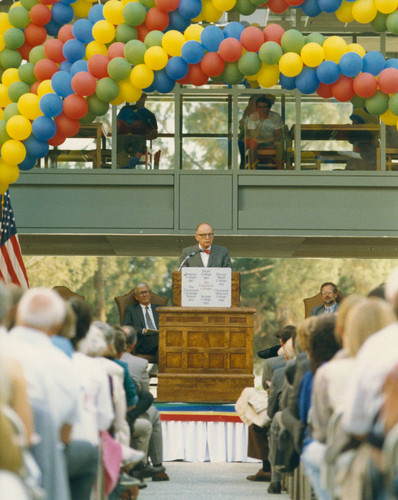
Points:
(208, 481)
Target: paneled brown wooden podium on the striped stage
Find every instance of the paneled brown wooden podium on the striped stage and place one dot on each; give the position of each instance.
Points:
(205, 353)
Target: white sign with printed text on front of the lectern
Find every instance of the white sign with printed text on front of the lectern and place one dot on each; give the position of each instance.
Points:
(206, 287)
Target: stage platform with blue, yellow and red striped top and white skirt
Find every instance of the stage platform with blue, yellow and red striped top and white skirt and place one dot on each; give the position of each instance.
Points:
(202, 432)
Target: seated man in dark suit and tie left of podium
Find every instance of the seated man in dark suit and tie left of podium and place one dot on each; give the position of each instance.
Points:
(145, 319)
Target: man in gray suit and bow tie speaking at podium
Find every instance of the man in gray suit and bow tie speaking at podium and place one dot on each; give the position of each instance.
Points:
(205, 254)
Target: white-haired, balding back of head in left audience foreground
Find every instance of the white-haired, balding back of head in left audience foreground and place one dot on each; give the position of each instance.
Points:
(41, 309)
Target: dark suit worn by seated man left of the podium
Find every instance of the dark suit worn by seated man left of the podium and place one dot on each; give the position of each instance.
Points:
(147, 343)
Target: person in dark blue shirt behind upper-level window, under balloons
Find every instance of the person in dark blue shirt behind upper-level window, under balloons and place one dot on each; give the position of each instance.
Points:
(135, 125)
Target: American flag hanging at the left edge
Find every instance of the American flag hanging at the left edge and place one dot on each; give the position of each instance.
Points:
(12, 268)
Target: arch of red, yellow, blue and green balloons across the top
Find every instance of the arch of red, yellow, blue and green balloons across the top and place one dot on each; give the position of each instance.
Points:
(58, 74)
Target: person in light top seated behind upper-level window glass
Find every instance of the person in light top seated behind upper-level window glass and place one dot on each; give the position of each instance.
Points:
(264, 130)
